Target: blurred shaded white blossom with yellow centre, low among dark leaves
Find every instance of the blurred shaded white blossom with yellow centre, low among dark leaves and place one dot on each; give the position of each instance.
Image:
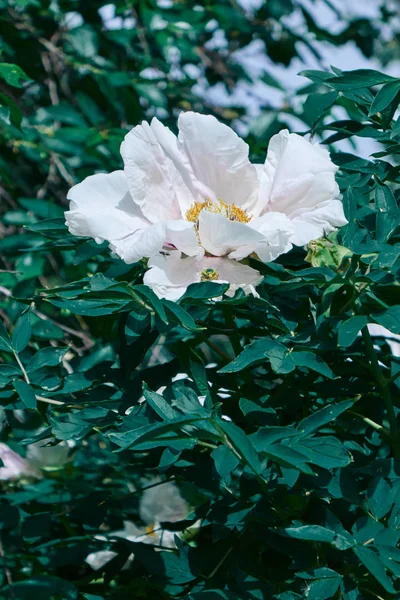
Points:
(158, 504)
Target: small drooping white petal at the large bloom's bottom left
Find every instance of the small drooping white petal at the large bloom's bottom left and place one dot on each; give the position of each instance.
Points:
(170, 275)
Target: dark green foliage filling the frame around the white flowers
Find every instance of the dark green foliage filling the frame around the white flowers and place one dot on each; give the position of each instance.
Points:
(291, 462)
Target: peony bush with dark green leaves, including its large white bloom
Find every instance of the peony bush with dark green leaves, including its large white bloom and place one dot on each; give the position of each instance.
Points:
(223, 422)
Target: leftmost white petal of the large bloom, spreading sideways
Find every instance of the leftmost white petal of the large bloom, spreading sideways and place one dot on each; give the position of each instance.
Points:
(102, 208)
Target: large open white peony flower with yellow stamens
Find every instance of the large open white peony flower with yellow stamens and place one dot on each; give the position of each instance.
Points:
(199, 200)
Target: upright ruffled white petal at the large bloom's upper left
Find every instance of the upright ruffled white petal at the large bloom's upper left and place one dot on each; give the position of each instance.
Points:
(154, 182)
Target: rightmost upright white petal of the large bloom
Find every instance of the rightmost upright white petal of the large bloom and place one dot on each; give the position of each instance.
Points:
(298, 180)
